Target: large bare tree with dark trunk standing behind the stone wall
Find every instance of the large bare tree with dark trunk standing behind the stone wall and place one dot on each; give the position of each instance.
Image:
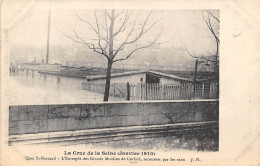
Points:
(107, 28)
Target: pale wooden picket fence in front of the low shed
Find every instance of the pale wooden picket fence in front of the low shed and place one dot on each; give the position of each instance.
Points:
(151, 91)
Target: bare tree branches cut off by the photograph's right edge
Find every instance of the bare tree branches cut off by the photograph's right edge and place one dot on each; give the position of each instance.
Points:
(212, 21)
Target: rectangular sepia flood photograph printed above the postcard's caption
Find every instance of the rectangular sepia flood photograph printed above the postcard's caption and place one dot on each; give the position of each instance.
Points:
(120, 78)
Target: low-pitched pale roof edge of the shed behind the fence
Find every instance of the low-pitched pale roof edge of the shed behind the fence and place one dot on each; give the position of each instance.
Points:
(158, 74)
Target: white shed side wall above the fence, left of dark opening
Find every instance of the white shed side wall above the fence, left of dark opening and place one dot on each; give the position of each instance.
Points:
(132, 79)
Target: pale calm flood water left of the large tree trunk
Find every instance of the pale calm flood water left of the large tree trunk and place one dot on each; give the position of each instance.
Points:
(35, 89)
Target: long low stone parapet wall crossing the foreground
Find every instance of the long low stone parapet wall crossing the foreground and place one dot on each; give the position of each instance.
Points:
(51, 118)
